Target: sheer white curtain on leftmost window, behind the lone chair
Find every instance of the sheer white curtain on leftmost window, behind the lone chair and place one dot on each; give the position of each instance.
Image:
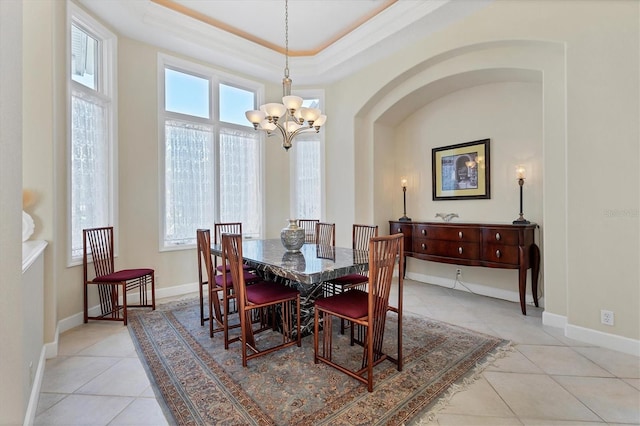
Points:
(90, 165)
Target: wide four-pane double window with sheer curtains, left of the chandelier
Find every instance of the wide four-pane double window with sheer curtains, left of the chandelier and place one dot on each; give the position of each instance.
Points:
(212, 155)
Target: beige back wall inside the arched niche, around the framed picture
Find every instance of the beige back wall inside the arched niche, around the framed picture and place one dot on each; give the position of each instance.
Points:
(510, 115)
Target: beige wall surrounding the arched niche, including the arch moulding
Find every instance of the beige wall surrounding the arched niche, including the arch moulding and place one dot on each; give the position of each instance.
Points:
(569, 59)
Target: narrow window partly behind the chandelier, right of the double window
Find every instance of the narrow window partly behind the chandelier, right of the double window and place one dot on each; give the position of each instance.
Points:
(306, 174)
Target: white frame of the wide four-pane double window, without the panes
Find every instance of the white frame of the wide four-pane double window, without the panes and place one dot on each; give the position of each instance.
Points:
(215, 77)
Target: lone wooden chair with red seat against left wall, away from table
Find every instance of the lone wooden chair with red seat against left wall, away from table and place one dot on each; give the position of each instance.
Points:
(113, 286)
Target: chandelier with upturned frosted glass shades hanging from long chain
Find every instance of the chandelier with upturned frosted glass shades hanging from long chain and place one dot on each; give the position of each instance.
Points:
(290, 118)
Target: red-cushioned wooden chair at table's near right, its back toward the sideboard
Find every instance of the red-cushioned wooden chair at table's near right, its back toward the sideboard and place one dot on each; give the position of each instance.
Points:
(364, 308)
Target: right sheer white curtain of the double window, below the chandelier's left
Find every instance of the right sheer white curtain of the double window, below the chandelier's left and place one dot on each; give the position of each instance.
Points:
(240, 177)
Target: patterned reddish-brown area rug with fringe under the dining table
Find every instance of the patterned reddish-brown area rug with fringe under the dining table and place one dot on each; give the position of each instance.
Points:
(201, 383)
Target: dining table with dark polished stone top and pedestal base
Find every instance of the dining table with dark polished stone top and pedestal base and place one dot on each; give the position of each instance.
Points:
(306, 269)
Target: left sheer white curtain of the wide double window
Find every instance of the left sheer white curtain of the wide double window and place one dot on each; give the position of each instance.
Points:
(189, 181)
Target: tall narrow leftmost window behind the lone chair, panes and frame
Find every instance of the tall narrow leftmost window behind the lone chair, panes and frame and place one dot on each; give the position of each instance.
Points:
(92, 129)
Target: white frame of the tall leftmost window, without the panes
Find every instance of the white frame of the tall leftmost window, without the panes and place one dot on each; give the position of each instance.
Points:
(106, 92)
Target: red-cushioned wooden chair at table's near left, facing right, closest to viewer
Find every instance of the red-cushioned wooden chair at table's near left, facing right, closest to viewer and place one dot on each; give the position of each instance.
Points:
(279, 298)
